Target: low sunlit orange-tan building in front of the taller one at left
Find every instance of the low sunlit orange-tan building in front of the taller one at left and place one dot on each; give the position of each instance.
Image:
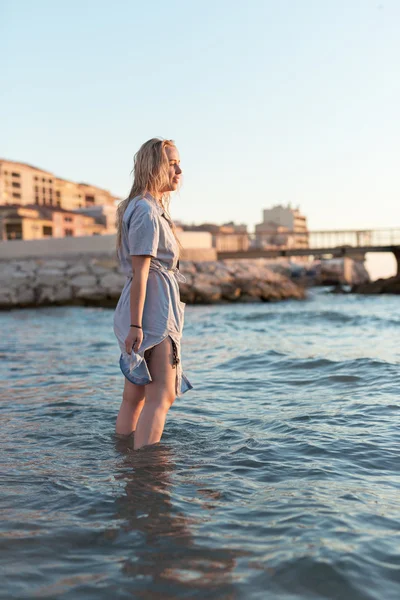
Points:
(38, 222)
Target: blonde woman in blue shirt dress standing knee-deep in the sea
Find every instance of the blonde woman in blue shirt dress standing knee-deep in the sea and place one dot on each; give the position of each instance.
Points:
(148, 319)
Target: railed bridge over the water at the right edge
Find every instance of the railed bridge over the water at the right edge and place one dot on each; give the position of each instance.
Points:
(320, 244)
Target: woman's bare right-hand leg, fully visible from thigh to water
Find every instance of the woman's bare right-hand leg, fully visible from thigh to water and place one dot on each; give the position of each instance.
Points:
(160, 395)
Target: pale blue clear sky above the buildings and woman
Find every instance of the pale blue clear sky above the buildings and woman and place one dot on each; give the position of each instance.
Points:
(269, 102)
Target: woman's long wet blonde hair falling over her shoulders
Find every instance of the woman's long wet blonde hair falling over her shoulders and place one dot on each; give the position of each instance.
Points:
(150, 174)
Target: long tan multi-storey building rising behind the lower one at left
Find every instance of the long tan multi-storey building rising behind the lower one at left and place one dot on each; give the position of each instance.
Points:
(27, 186)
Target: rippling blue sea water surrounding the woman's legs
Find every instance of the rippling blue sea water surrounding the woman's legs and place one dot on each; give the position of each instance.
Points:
(276, 477)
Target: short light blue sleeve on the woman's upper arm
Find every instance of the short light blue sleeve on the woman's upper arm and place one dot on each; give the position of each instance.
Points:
(143, 232)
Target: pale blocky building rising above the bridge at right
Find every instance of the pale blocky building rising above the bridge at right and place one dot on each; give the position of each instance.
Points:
(282, 226)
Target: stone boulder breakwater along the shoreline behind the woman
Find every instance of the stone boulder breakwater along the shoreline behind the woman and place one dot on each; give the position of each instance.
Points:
(98, 281)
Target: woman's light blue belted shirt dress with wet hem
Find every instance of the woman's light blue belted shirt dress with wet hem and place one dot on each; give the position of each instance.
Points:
(146, 230)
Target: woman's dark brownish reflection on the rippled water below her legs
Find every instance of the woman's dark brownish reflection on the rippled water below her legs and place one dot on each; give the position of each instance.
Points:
(167, 554)
